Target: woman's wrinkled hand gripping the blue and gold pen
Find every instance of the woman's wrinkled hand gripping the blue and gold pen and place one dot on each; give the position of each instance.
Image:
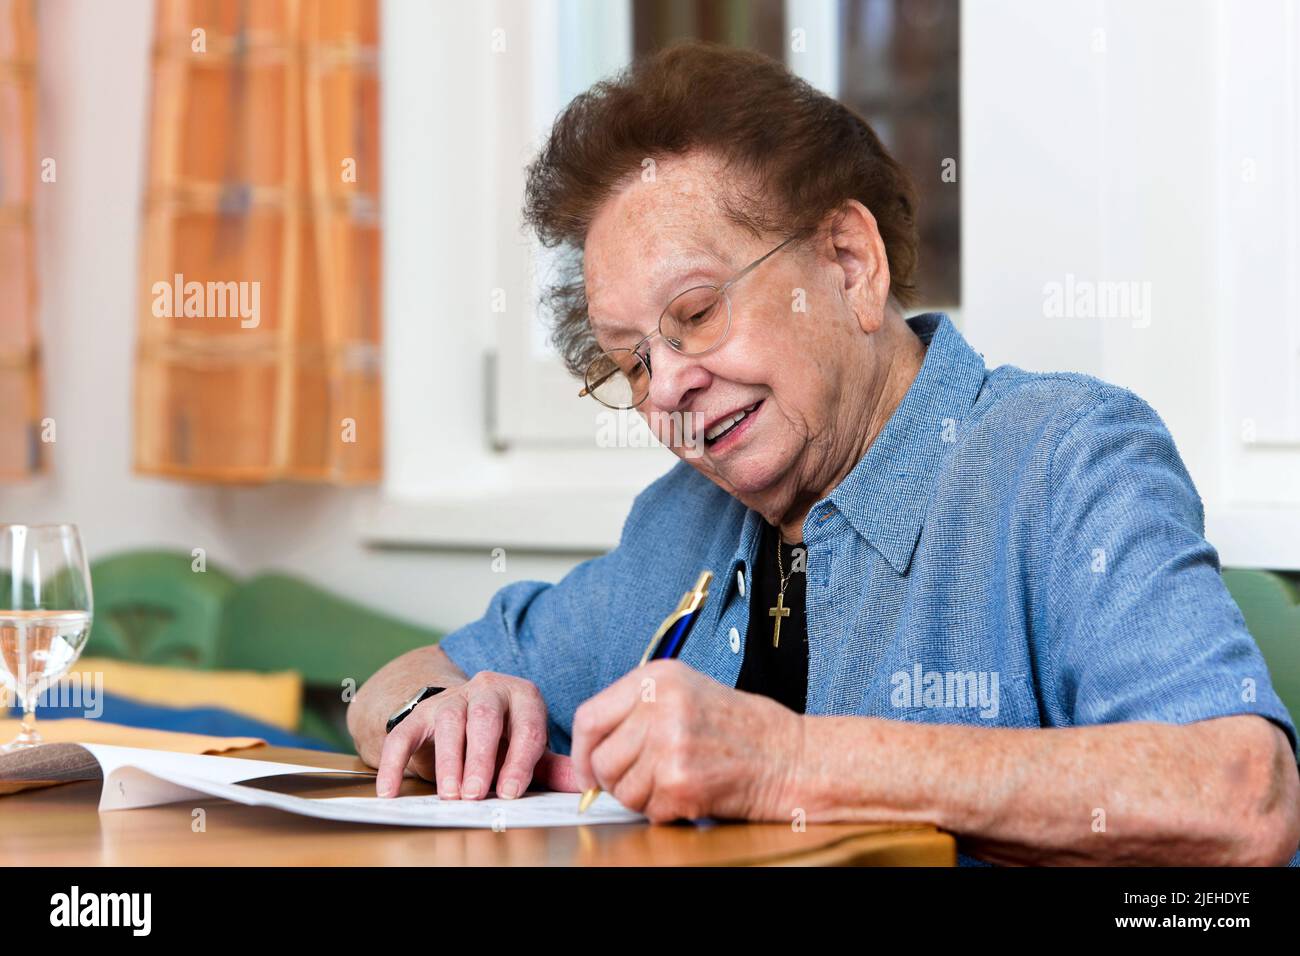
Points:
(671, 743)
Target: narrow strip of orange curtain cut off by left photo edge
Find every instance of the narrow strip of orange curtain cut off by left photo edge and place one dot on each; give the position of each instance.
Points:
(21, 447)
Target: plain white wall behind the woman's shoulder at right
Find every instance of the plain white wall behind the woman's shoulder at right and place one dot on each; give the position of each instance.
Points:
(1106, 141)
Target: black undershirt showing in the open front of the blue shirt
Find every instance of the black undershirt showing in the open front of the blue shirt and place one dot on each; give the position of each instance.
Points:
(781, 673)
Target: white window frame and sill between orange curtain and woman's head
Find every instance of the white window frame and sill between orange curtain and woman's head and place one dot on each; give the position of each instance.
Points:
(453, 244)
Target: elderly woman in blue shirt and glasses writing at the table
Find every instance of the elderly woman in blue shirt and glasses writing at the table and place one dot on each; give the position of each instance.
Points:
(976, 598)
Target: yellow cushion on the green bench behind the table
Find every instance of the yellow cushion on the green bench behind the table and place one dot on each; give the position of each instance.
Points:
(276, 699)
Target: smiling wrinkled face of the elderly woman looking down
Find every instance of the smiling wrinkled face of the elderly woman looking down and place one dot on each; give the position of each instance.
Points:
(796, 358)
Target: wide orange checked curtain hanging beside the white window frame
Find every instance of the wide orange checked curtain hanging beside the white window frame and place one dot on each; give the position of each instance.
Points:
(259, 336)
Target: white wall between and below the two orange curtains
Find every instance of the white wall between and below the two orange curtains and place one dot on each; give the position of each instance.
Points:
(94, 73)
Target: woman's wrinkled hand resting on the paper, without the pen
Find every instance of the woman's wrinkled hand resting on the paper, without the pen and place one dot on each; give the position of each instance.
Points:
(492, 728)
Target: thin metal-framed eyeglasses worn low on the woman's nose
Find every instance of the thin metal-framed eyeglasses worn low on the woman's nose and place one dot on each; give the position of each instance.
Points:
(695, 323)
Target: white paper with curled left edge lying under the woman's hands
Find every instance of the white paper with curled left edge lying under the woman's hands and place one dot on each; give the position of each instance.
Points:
(136, 777)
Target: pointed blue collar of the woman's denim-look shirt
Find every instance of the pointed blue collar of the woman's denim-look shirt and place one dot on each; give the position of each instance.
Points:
(886, 496)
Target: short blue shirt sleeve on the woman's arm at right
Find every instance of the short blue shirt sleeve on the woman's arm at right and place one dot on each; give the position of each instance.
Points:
(1141, 624)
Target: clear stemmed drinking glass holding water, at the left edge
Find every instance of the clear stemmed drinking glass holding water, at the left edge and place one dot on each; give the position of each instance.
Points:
(46, 609)
